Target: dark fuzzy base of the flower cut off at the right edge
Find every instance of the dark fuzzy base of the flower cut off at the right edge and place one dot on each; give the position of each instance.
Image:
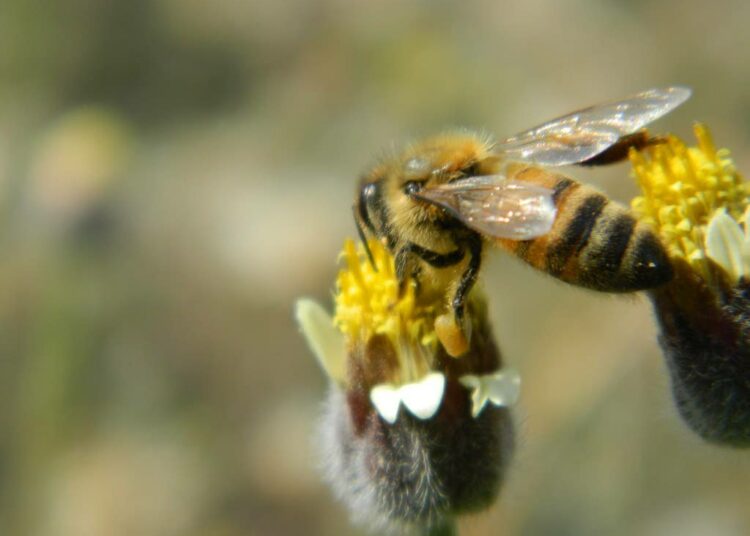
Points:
(706, 342)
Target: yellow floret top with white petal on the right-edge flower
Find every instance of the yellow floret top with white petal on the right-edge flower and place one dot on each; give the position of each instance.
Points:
(691, 195)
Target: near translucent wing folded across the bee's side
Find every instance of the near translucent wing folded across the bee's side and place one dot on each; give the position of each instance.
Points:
(496, 206)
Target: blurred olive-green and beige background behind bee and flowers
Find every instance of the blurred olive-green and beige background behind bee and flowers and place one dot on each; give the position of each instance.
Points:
(174, 174)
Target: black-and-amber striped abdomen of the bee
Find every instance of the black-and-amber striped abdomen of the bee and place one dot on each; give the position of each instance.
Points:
(594, 242)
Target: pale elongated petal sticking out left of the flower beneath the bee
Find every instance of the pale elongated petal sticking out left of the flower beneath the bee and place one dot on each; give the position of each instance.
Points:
(325, 341)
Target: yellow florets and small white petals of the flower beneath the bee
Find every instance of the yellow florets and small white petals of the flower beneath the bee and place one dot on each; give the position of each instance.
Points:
(383, 339)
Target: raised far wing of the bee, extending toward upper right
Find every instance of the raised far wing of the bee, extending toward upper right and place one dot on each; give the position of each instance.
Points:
(581, 135)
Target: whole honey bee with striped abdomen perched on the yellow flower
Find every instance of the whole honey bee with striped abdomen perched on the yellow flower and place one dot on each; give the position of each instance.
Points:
(437, 204)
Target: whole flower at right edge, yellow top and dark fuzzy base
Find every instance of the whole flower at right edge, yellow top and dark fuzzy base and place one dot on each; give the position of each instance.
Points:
(699, 205)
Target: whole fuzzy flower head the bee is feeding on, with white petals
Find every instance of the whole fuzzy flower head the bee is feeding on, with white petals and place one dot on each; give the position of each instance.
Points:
(411, 436)
